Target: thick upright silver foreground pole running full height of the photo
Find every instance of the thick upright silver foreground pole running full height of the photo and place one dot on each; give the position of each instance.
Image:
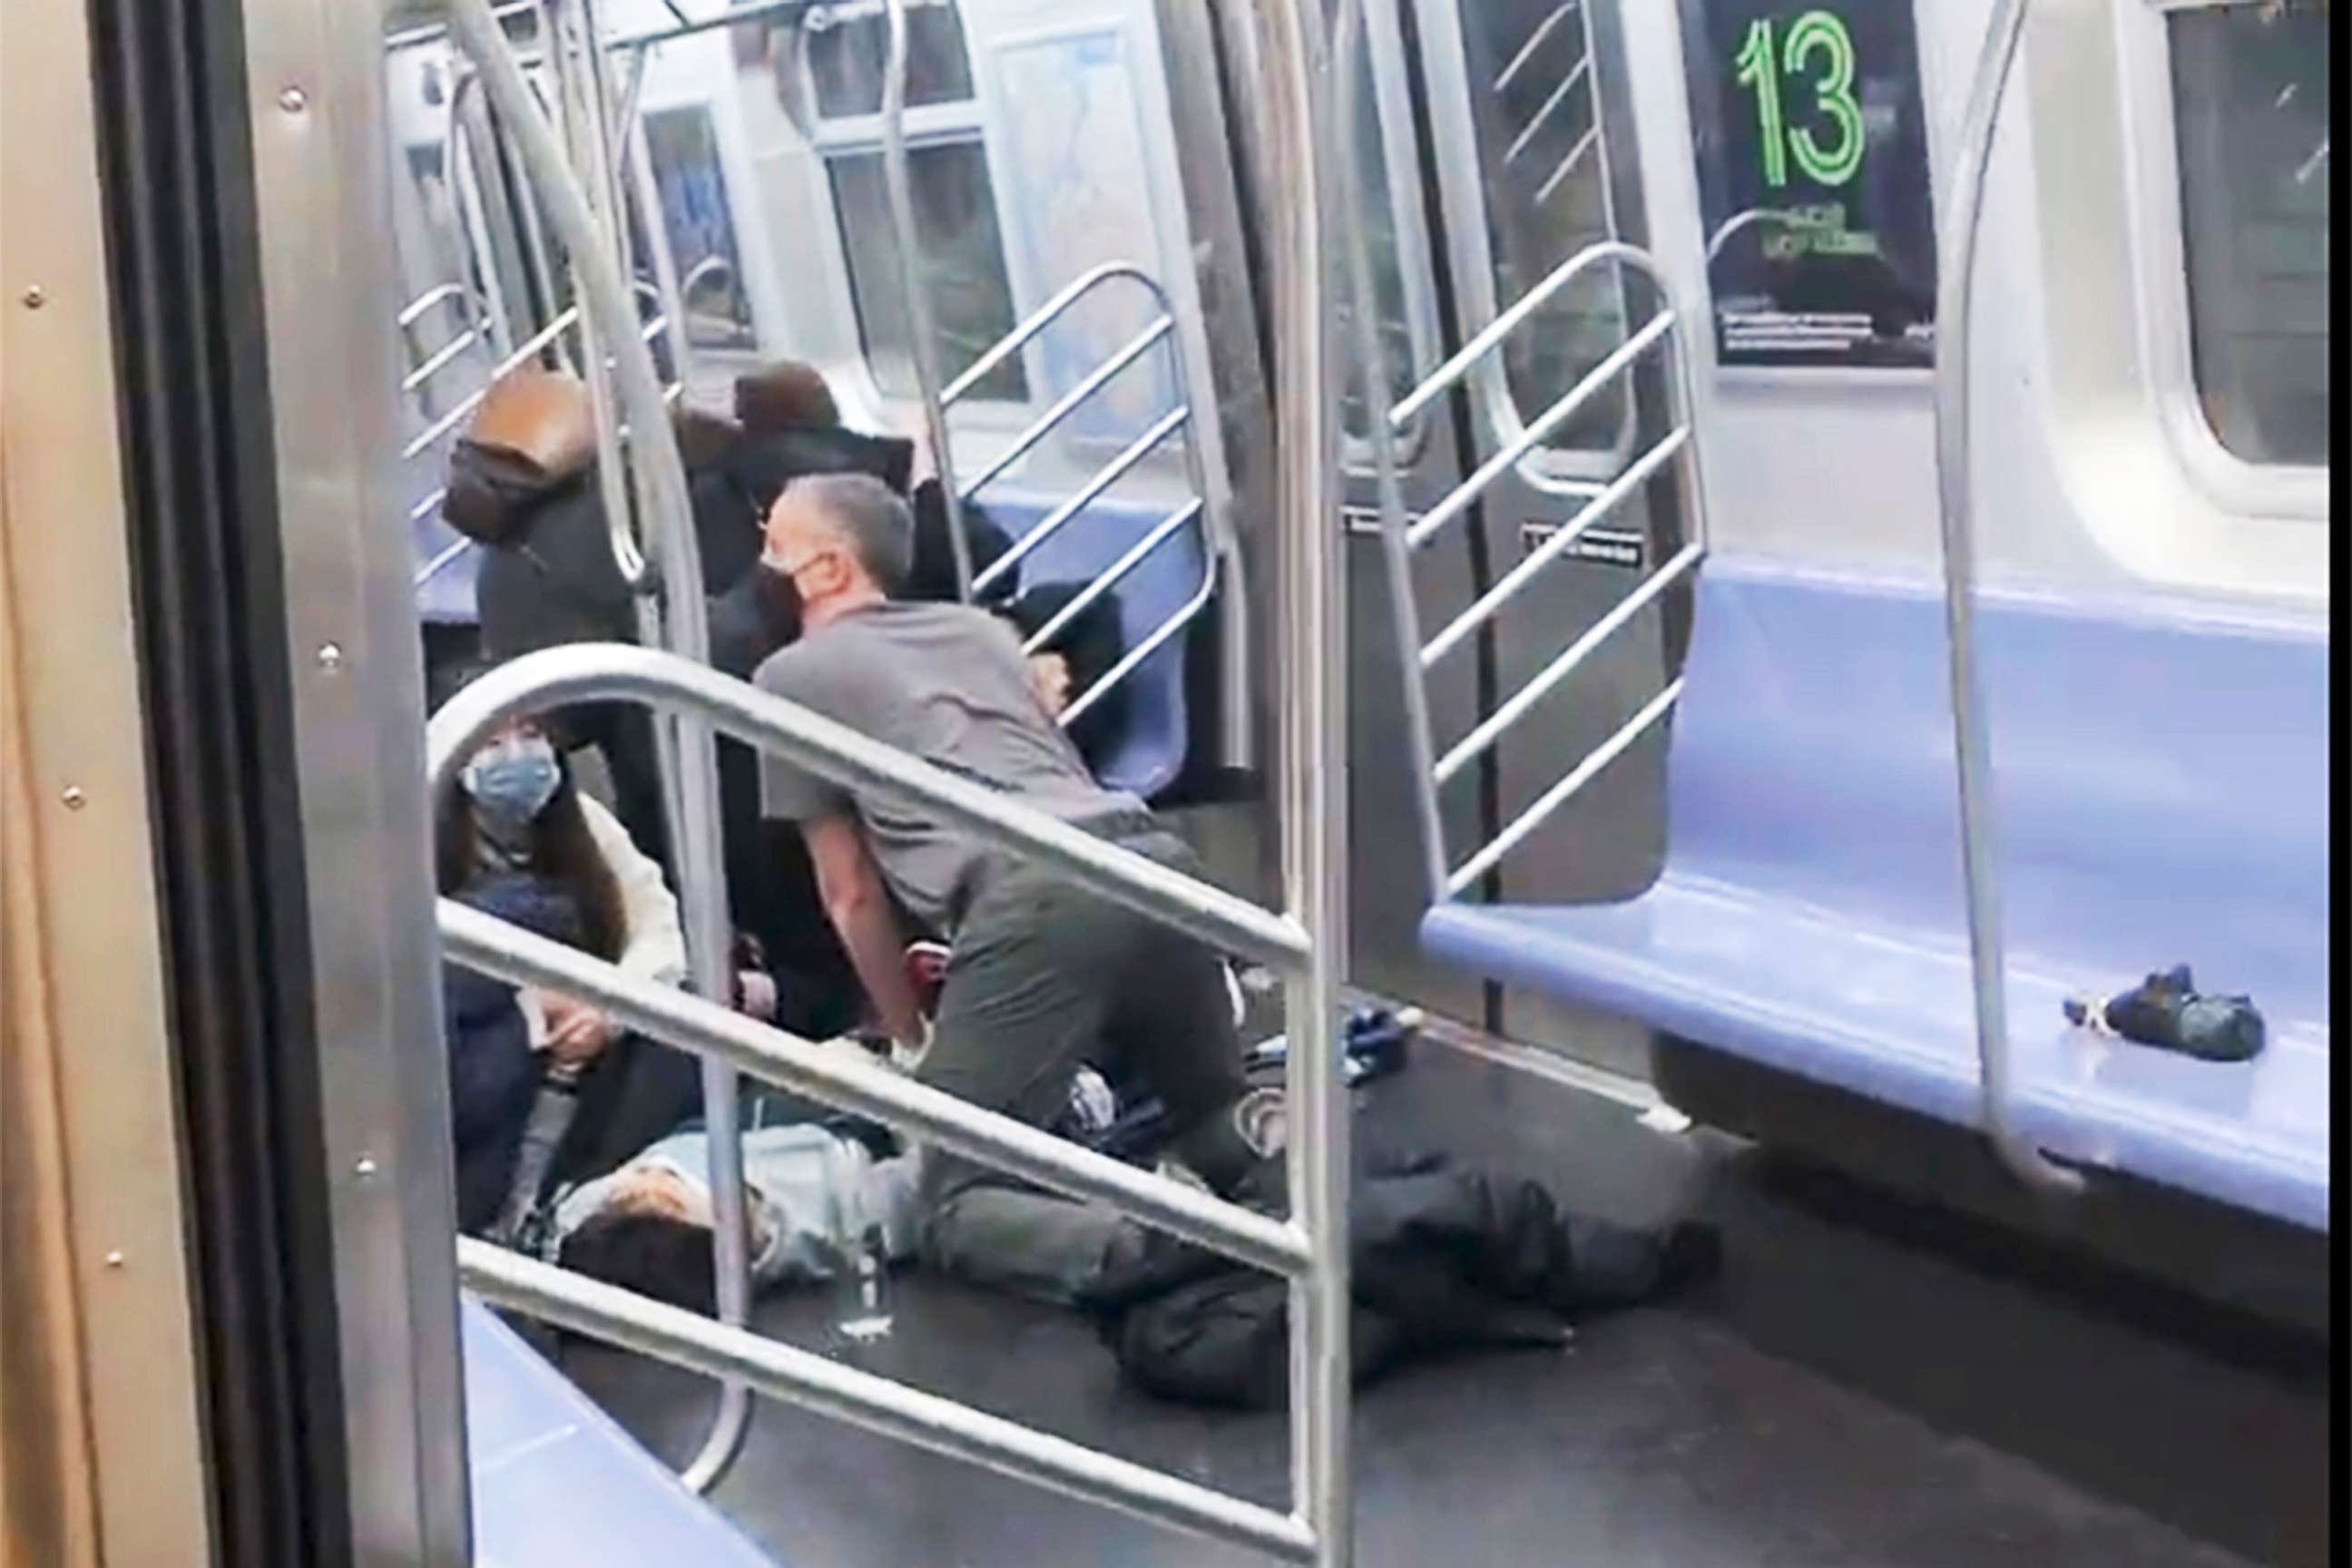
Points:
(1311, 763)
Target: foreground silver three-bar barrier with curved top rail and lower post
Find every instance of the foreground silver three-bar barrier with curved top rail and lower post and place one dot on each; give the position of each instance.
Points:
(1307, 1249)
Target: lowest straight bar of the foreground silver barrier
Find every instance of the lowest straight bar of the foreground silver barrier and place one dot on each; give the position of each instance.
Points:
(878, 1405)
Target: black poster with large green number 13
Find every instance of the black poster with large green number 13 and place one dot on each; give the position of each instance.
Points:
(1812, 182)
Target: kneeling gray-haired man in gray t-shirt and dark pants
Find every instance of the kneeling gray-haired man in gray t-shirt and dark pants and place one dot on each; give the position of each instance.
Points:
(1045, 977)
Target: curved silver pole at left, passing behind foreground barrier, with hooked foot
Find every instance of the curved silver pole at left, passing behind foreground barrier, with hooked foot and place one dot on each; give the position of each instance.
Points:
(662, 485)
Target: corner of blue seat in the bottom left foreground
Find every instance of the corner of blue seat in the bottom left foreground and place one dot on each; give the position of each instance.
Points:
(556, 1482)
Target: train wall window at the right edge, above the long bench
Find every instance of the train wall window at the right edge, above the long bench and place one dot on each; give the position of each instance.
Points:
(2252, 114)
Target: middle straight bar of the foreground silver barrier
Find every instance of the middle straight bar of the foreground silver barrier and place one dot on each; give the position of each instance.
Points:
(855, 1083)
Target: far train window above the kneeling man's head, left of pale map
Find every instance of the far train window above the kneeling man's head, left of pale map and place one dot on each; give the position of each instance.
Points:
(956, 208)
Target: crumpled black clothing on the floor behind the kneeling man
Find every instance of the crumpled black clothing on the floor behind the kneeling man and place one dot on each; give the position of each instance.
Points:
(1443, 1259)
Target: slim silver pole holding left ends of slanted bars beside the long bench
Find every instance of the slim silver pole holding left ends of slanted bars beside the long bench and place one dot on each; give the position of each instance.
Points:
(1396, 554)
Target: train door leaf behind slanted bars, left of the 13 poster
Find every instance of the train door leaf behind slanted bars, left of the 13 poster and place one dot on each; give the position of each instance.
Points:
(1535, 161)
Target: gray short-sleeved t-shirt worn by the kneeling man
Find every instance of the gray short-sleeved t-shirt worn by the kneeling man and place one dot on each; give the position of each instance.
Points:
(949, 685)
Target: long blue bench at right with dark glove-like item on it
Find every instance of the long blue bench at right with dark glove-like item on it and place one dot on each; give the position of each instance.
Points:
(2163, 784)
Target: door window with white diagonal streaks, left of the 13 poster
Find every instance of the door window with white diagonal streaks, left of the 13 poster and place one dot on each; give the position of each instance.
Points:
(1537, 114)
